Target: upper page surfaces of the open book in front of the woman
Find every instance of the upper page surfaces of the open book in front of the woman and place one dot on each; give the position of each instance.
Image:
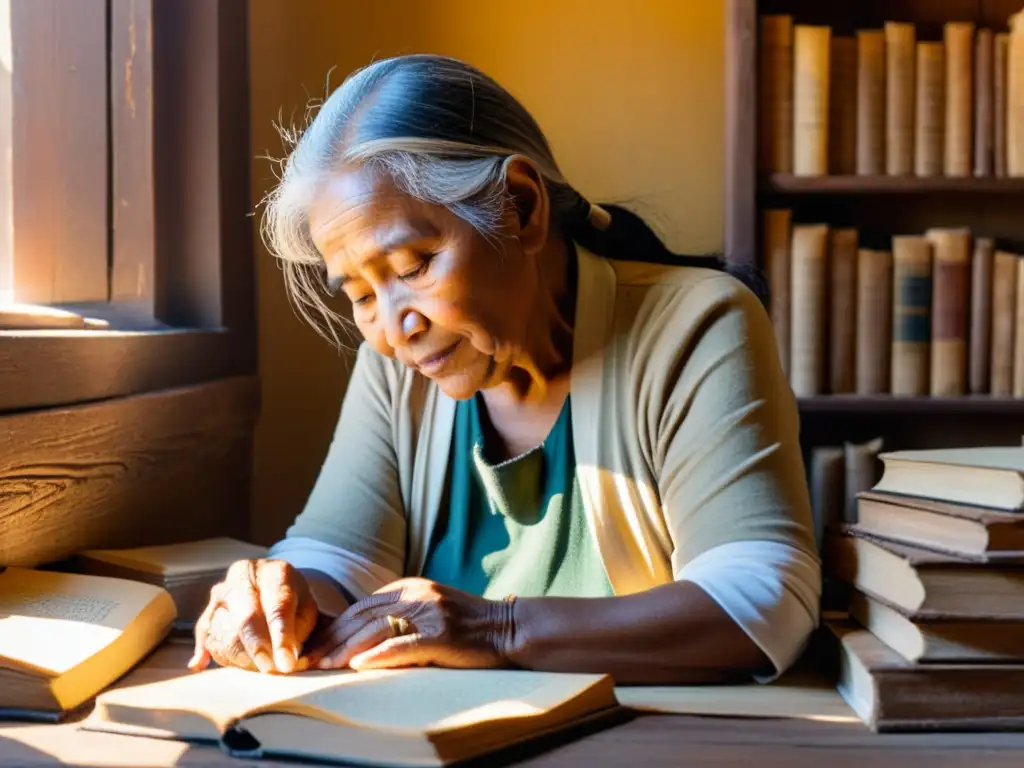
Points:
(432, 699)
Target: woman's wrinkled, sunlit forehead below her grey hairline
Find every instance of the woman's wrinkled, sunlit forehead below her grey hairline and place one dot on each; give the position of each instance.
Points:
(357, 214)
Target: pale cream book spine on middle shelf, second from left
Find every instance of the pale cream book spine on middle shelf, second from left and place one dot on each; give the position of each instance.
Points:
(808, 329)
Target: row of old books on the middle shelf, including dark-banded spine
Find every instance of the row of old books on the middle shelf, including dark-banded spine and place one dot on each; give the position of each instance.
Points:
(940, 314)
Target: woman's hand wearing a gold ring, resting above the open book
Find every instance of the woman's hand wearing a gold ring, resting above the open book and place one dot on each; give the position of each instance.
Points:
(415, 623)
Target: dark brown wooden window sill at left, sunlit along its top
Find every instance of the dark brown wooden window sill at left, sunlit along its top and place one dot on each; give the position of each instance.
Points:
(59, 367)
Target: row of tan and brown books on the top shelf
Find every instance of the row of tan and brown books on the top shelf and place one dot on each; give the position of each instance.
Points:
(886, 103)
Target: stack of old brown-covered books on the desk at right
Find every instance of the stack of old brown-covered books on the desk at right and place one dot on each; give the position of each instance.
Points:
(934, 637)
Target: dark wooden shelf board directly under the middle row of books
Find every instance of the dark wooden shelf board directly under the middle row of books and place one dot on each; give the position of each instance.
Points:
(850, 404)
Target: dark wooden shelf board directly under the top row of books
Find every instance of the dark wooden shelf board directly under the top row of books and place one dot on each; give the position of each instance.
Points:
(788, 184)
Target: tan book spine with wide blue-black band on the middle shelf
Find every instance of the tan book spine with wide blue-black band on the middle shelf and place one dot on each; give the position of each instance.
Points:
(912, 316)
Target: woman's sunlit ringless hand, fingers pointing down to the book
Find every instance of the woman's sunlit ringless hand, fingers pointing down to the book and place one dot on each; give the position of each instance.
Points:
(259, 618)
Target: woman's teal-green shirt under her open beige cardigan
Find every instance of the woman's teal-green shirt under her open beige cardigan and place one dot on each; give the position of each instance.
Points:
(518, 528)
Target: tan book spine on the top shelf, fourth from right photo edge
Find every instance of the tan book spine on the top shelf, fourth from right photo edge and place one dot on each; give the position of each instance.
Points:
(960, 98)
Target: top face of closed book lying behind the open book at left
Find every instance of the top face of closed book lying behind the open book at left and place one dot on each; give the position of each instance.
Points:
(178, 560)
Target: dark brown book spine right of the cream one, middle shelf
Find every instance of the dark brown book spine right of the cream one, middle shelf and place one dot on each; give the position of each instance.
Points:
(843, 312)
